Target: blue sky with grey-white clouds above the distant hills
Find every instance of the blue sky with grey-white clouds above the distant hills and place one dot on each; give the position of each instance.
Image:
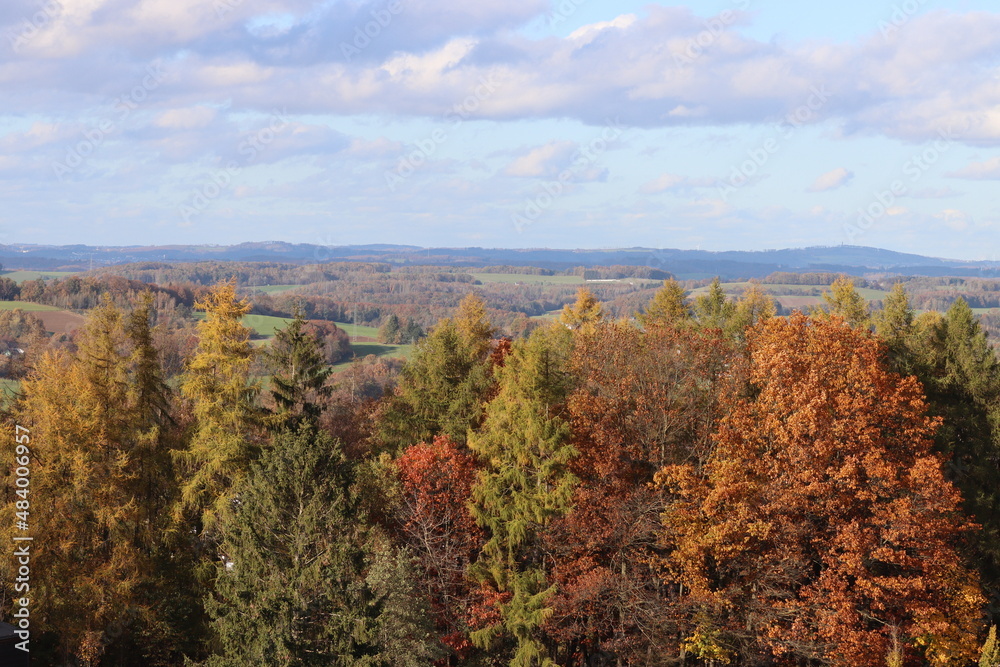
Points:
(719, 125)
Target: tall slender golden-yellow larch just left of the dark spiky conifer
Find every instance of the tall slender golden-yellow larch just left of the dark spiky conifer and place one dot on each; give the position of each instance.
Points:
(217, 383)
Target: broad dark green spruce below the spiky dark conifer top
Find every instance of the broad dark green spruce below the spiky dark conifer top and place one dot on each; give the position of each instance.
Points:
(291, 588)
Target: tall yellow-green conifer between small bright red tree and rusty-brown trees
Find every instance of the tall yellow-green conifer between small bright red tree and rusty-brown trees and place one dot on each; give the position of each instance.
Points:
(525, 484)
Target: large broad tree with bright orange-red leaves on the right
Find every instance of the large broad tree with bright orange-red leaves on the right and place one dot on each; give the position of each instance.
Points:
(823, 527)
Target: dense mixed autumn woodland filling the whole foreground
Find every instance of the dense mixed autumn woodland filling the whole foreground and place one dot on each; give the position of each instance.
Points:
(701, 481)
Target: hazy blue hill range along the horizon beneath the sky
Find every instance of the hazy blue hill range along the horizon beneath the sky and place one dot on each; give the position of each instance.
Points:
(730, 265)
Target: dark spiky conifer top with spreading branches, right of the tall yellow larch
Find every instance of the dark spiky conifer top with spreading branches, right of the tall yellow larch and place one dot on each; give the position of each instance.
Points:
(299, 380)
